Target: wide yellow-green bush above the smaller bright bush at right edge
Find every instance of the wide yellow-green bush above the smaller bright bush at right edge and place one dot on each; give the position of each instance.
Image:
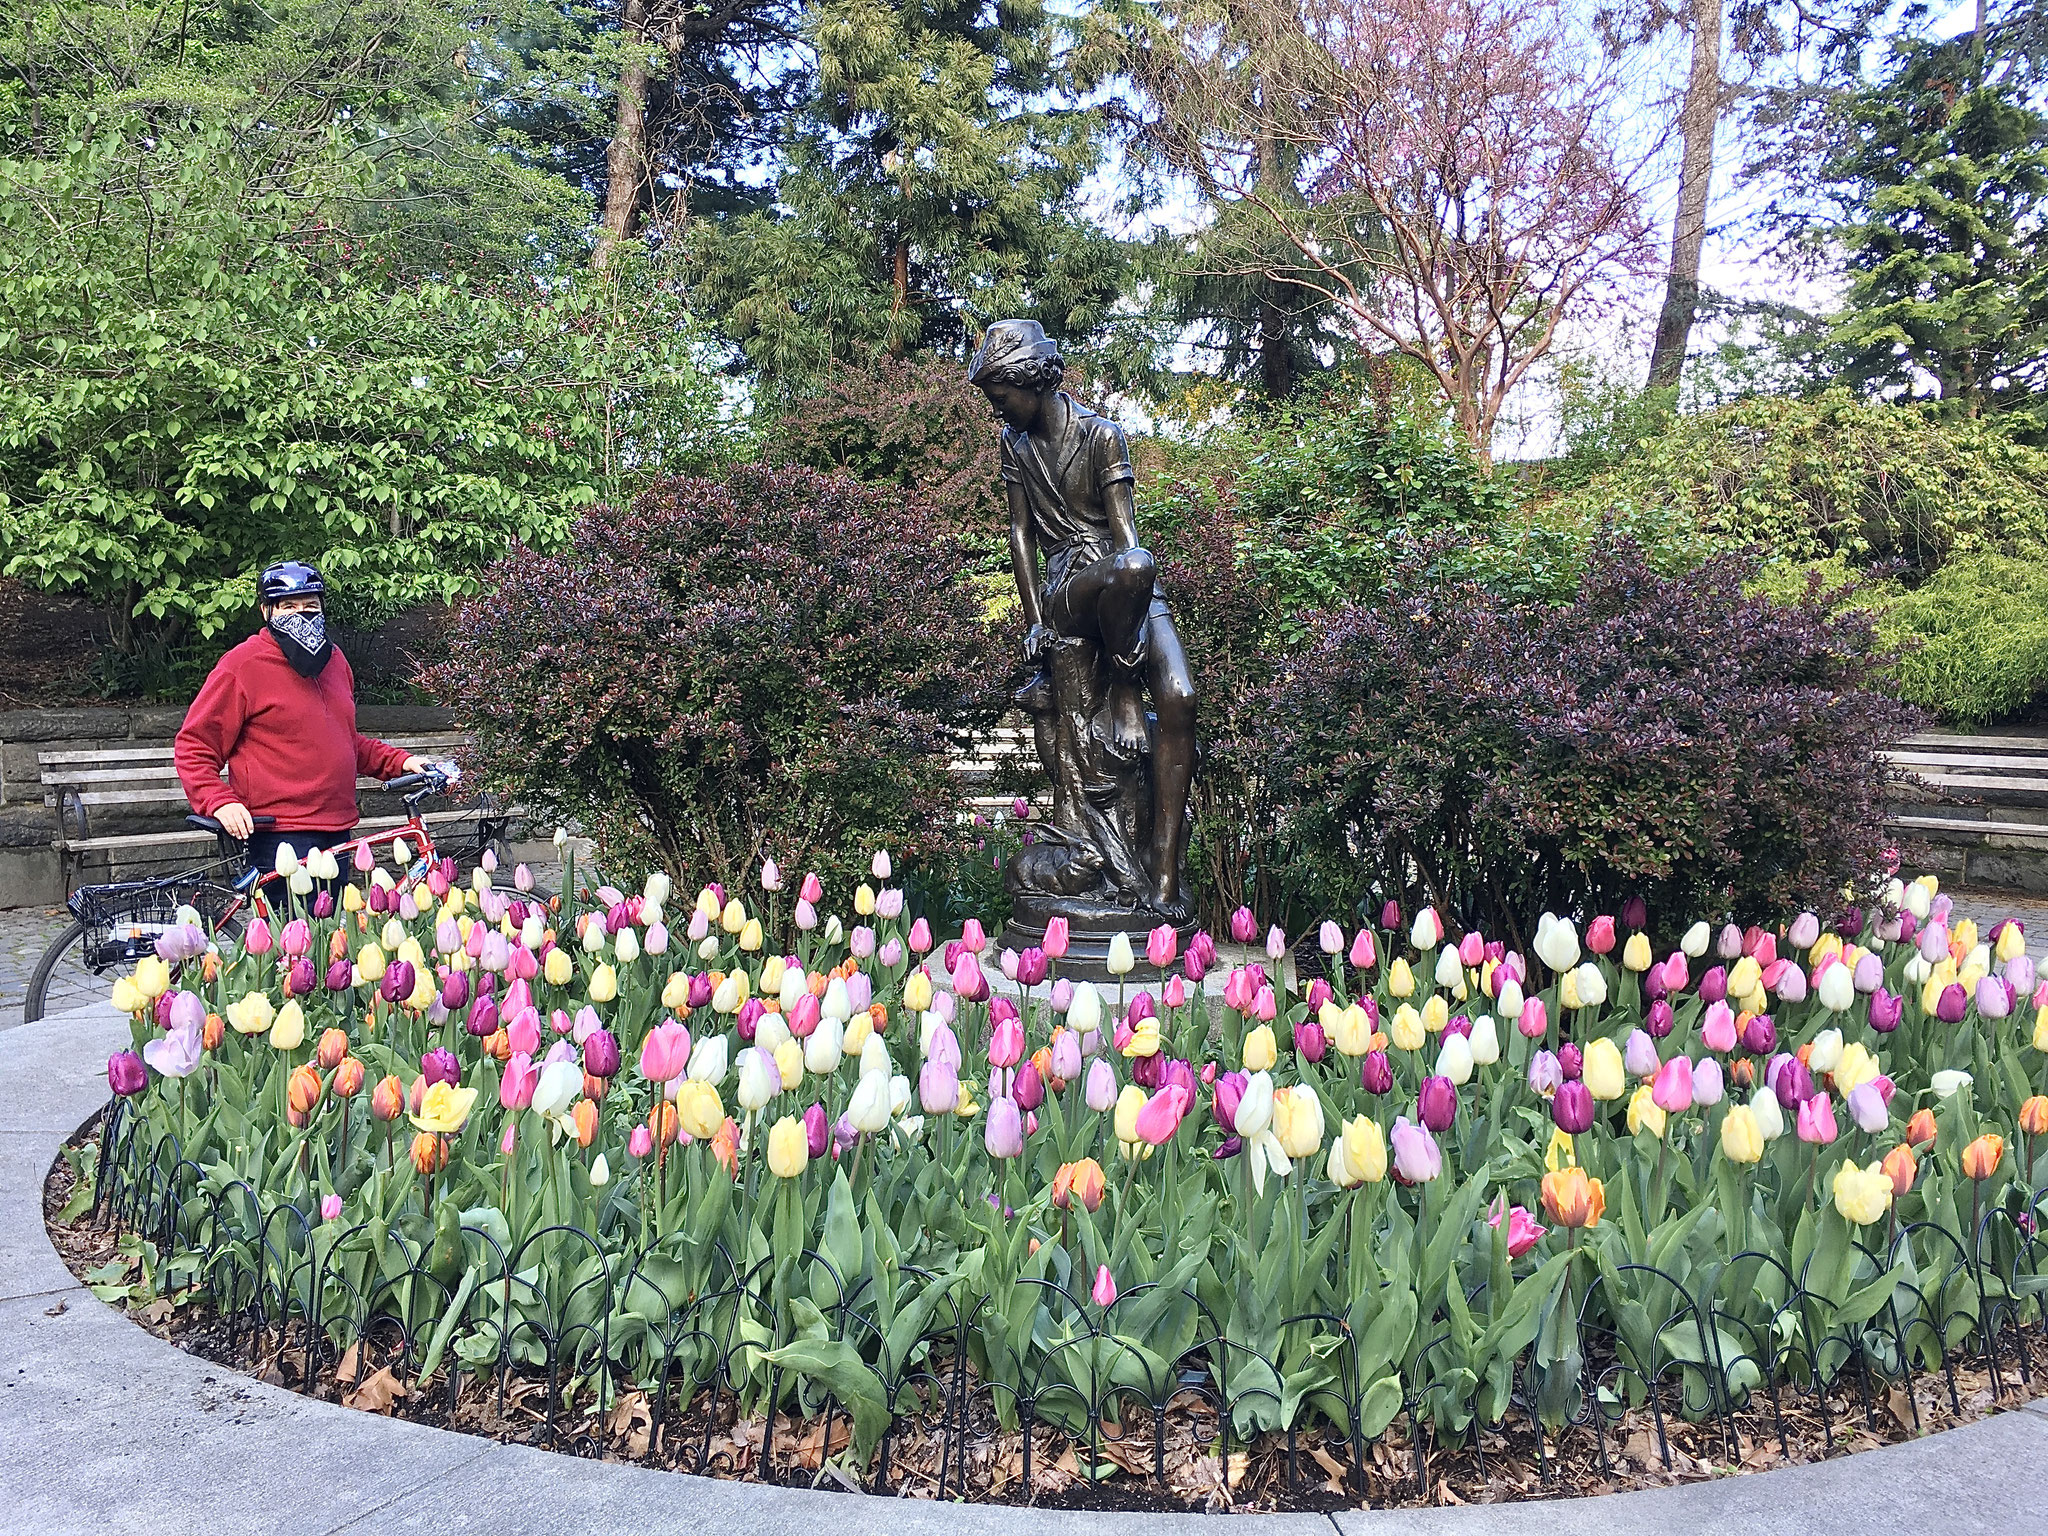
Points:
(1834, 474)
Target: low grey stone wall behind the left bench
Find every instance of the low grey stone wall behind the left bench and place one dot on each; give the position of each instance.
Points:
(30, 869)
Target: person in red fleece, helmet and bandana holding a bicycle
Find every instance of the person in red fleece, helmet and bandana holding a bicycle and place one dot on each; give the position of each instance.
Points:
(280, 714)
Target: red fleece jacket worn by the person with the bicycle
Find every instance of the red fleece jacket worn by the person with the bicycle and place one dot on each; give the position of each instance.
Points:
(290, 744)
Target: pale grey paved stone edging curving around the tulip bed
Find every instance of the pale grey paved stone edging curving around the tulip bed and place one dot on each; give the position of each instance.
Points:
(110, 1428)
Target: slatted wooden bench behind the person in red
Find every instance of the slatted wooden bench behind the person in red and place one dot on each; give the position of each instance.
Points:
(142, 781)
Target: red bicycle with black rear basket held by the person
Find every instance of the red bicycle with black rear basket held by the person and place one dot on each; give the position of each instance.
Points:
(118, 925)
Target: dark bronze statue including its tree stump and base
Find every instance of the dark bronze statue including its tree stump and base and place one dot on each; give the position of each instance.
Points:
(1111, 853)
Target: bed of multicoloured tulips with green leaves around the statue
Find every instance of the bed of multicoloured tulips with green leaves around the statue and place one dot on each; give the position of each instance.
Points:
(759, 1164)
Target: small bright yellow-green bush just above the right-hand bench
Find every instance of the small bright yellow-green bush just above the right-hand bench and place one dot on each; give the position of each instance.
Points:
(1973, 640)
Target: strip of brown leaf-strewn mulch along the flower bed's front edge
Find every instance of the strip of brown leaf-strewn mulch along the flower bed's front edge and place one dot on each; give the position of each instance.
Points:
(712, 1439)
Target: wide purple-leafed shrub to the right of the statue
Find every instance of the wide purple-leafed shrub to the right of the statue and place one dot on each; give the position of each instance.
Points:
(1660, 736)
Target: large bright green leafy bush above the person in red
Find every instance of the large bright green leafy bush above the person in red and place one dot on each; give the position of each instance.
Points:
(200, 376)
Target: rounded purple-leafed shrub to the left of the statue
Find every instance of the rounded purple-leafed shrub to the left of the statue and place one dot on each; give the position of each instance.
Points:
(775, 663)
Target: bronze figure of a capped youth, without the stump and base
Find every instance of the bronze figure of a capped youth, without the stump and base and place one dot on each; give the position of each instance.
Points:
(1068, 476)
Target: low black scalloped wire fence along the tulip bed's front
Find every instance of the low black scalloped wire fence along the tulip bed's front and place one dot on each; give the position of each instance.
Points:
(564, 1320)
